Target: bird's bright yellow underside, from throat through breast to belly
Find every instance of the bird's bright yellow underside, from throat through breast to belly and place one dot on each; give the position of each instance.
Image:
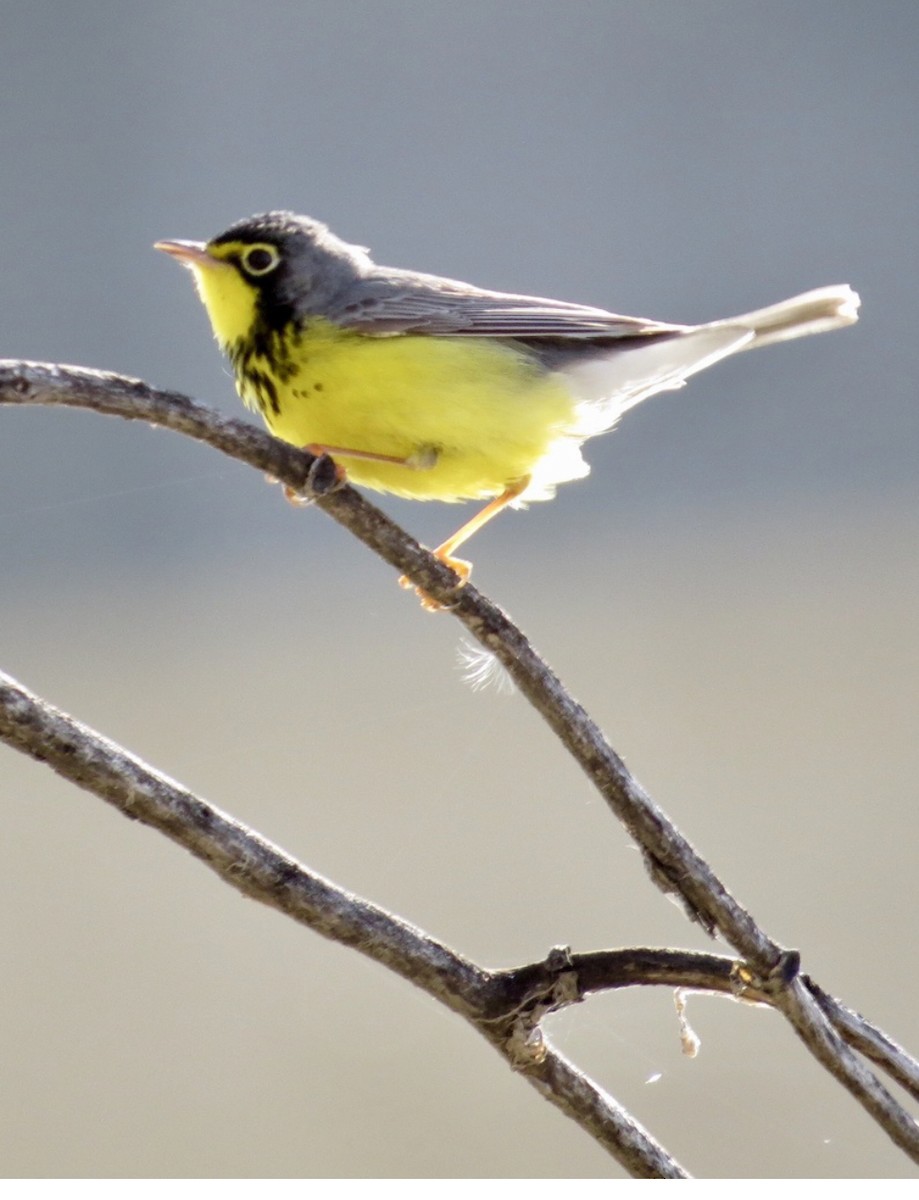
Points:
(478, 413)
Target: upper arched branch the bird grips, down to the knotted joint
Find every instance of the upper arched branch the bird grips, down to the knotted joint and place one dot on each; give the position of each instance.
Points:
(675, 865)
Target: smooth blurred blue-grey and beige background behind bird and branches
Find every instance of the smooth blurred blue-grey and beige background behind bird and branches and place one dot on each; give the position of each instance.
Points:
(734, 592)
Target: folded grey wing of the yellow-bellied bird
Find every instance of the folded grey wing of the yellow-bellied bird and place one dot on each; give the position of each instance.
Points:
(391, 302)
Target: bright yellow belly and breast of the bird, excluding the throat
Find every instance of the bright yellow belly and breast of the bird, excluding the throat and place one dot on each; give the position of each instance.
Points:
(472, 416)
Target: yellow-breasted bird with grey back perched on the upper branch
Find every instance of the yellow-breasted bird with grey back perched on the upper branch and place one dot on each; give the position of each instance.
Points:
(434, 389)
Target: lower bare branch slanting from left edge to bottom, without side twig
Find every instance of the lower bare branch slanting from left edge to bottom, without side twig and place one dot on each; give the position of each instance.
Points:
(263, 872)
